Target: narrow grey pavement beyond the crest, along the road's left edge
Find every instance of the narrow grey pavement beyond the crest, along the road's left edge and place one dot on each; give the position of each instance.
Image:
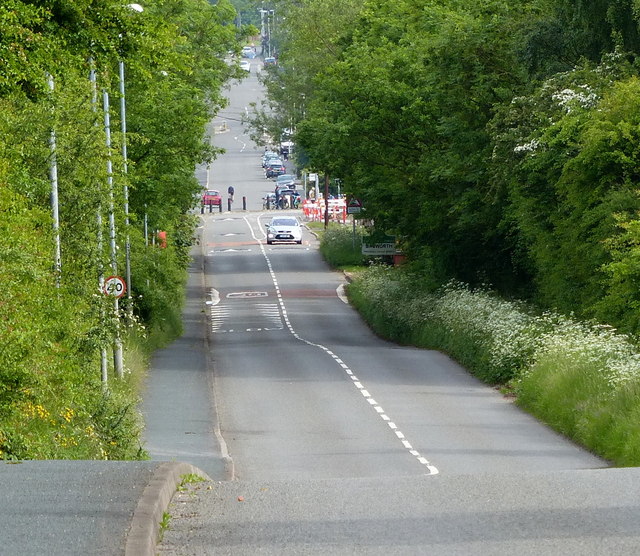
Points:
(179, 408)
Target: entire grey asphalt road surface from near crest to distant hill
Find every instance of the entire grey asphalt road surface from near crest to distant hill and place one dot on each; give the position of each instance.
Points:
(323, 439)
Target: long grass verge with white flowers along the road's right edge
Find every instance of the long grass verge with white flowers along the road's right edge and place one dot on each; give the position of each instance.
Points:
(582, 379)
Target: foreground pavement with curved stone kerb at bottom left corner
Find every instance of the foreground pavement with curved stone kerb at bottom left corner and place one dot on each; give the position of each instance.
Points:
(85, 507)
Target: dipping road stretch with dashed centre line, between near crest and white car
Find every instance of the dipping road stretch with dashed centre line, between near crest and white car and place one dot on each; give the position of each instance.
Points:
(307, 391)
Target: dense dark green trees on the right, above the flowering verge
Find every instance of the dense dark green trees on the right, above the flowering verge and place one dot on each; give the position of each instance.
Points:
(495, 139)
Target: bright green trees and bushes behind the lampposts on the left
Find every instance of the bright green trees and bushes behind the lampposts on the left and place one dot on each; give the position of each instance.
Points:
(55, 323)
